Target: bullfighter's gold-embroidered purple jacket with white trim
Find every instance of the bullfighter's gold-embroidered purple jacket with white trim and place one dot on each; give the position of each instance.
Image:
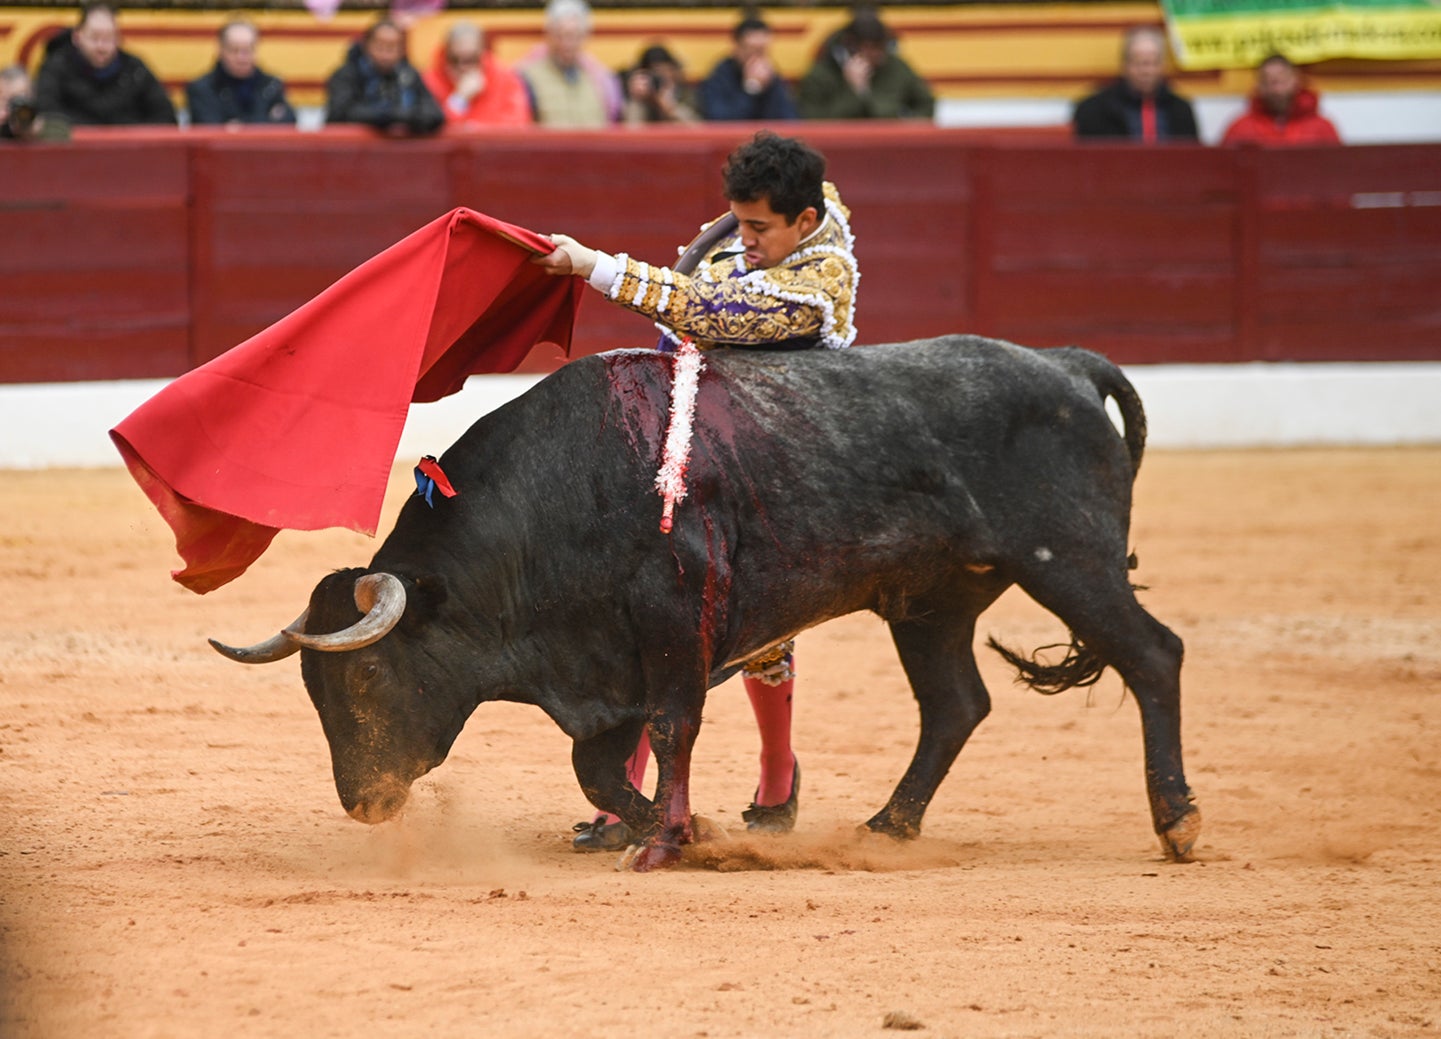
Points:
(808, 299)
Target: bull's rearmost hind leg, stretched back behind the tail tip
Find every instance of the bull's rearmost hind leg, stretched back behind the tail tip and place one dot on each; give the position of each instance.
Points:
(1106, 619)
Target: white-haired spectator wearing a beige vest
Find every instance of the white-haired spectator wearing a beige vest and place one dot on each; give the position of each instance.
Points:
(570, 87)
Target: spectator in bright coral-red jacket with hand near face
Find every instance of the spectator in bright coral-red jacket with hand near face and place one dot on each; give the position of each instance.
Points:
(472, 84)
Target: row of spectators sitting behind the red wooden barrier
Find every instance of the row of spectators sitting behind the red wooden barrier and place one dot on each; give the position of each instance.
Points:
(89, 79)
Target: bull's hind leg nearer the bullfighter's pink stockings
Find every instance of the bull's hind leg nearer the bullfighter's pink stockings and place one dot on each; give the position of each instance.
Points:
(940, 664)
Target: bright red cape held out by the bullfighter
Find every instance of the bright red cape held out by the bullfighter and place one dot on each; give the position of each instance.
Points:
(298, 427)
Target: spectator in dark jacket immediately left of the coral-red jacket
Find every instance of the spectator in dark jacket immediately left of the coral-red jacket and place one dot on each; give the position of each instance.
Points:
(378, 87)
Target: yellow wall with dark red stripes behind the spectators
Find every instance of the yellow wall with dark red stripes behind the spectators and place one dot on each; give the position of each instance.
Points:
(972, 51)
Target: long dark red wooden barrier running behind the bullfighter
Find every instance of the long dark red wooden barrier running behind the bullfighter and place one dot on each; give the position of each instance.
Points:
(142, 253)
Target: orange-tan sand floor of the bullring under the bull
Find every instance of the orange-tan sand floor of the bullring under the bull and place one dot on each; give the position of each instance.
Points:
(175, 861)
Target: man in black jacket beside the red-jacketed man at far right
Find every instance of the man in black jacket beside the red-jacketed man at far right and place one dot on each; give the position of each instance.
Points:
(1138, 106)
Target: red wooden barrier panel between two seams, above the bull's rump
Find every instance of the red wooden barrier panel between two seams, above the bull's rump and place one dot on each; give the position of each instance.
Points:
(1120, 249)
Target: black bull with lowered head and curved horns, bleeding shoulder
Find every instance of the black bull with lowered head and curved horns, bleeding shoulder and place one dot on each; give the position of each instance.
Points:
(914, 481)
